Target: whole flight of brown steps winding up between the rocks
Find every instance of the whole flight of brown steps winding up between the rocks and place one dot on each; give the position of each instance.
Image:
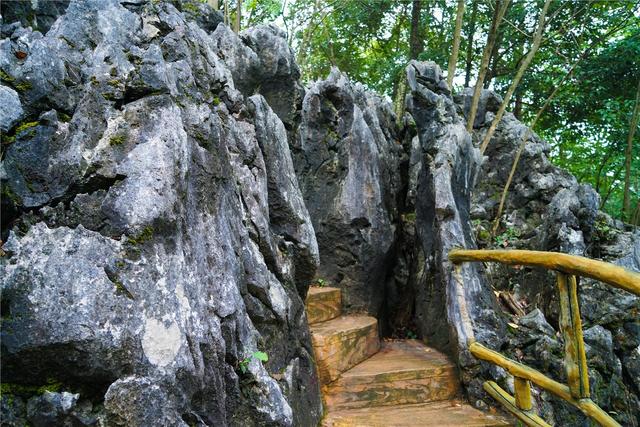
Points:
(366, 383)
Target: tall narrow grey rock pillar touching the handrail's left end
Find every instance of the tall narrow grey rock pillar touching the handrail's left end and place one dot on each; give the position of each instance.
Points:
(453, 304)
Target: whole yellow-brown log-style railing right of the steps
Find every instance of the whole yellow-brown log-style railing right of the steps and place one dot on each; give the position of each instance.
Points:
(576, 392)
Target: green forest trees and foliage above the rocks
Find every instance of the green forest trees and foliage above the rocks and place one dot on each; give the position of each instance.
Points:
(577, 84)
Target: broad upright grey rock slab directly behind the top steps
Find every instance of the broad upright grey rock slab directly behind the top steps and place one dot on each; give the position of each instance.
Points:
(347, 156)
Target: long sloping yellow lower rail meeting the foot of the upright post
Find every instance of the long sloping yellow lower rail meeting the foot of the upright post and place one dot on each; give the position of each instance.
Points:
(517, 369)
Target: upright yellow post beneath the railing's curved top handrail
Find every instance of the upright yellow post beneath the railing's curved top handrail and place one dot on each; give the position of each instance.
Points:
(575, 360)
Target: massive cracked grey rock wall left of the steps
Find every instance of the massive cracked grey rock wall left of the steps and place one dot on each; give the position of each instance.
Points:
(156, 236)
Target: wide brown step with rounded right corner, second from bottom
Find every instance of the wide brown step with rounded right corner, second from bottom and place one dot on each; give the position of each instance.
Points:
(402, 372)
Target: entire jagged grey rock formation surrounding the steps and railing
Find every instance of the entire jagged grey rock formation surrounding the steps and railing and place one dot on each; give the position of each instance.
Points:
(170, 190)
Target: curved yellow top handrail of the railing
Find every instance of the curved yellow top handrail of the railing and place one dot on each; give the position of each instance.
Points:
(570, 264)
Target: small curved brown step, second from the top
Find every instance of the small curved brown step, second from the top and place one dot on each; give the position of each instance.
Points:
(341, 343)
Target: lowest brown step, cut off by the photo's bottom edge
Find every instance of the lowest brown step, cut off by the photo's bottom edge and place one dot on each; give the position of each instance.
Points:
(441, 414)
